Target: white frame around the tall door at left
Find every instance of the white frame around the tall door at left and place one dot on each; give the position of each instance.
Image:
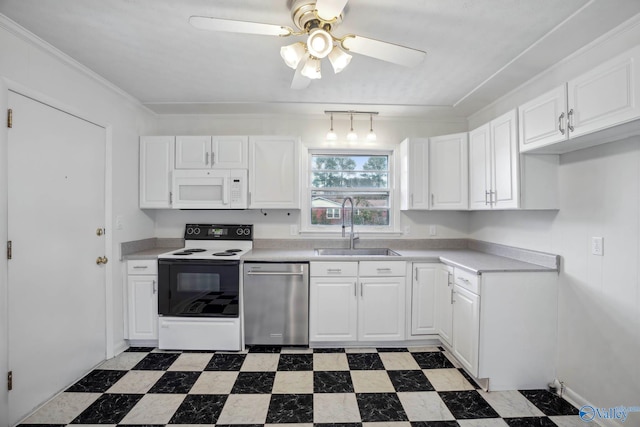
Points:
(6, 86)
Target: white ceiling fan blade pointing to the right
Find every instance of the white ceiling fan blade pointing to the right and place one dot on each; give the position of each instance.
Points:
(385, 51)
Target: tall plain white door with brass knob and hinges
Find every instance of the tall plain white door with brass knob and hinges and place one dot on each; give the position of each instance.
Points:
(56, 176)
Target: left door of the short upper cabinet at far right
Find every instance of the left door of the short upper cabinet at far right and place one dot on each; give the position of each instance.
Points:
(543, 120)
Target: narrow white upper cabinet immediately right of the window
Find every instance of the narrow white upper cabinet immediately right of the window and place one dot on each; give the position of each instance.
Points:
(414, 182)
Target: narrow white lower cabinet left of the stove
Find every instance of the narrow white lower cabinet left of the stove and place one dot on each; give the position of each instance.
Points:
(142, 299)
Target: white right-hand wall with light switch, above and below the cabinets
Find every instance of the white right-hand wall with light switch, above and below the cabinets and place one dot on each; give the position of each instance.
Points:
(599, 297)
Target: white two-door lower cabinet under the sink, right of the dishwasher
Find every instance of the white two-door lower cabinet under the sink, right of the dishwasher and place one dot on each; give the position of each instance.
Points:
(357, 301)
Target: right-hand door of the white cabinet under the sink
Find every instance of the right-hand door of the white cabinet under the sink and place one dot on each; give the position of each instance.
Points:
(381, 311)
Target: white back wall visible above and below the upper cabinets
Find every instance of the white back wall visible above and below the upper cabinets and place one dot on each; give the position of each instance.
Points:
(312, 130)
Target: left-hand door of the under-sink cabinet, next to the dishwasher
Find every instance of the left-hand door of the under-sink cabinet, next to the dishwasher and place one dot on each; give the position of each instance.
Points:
(333, 309)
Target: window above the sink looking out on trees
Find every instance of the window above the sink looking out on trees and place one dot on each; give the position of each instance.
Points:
(363, 177)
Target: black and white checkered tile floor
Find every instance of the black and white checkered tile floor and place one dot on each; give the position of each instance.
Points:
(416, 387)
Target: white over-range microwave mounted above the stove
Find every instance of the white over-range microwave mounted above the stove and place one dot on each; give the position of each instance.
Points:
(210, 189)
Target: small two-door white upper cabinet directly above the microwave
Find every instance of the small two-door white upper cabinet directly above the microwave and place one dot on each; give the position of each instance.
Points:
(206, 152)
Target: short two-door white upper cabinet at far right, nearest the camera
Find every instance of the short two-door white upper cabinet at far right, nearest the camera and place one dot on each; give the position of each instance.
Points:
(563, 119)
